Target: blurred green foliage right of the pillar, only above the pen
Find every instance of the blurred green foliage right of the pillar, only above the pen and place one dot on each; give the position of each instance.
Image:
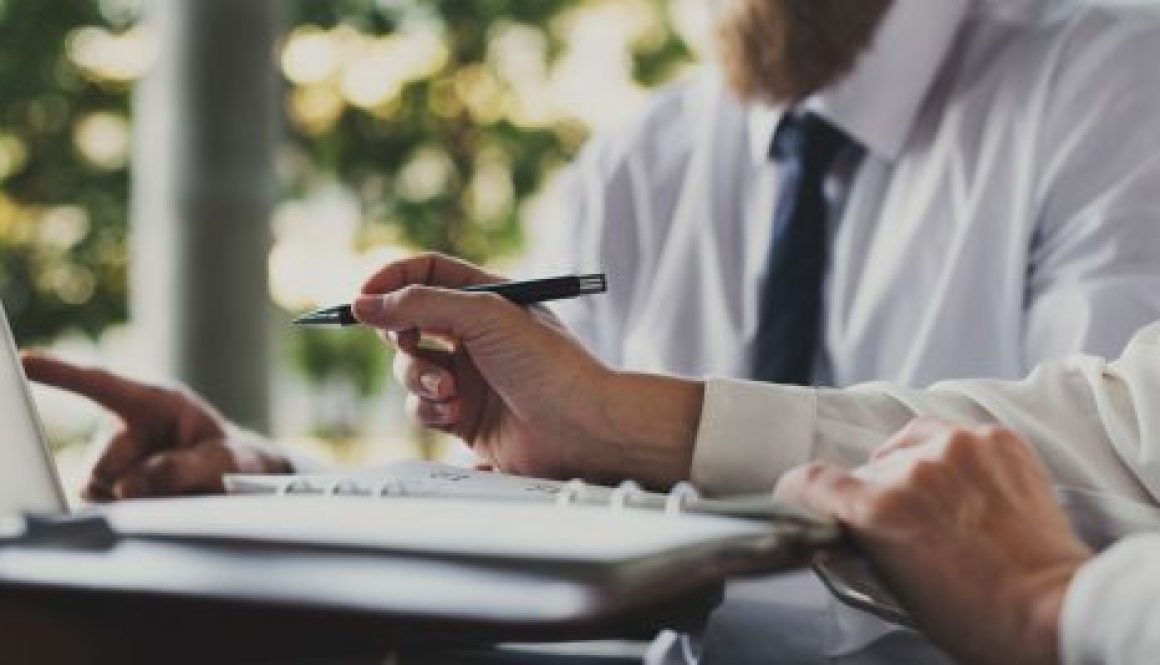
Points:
(368, 149)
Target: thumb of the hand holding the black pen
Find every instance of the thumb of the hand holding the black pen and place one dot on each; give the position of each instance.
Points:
(462, 316)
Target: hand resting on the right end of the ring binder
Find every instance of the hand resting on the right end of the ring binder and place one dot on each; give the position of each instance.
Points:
(965, 526)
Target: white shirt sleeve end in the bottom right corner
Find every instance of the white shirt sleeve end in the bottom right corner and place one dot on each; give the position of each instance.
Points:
(1111, 615)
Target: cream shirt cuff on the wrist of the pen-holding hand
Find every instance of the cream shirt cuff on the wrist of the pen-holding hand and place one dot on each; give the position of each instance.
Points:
(750, 435)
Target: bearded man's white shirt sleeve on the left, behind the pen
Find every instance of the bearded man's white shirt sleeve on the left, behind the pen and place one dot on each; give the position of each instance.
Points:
(612, 212)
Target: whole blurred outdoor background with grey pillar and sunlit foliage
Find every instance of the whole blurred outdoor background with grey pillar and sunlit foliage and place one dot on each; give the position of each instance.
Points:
(179, 179)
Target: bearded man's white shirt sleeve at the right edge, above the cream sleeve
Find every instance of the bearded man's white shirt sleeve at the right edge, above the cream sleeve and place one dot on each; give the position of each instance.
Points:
(1093, 277)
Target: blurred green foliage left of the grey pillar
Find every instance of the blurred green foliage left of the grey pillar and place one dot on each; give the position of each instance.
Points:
(62, 215)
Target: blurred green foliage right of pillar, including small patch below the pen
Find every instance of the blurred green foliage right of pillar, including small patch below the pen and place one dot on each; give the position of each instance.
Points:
(433, 121)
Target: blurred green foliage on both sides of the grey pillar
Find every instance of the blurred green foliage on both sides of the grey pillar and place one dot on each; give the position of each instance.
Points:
(441, 163)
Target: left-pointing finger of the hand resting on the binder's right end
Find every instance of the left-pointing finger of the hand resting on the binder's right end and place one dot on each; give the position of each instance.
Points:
(826, 489)
